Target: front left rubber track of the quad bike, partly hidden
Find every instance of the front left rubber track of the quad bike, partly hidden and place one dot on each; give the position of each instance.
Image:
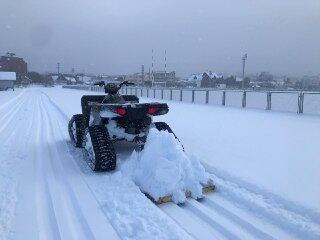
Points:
(75, 128)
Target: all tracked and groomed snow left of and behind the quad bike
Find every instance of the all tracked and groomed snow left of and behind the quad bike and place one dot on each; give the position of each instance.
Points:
(57, 196)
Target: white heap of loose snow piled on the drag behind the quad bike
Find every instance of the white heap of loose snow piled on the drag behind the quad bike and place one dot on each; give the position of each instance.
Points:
(162, 168)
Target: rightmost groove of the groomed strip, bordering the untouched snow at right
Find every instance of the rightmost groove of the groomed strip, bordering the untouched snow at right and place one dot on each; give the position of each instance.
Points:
(296, 226)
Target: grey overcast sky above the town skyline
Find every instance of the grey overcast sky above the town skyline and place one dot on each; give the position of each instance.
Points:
(117, 36)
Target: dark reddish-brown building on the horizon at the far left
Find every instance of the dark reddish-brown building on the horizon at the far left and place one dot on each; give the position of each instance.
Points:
(11, 63)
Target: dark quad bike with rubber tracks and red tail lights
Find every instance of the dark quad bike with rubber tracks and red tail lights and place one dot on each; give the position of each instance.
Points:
(109, 118)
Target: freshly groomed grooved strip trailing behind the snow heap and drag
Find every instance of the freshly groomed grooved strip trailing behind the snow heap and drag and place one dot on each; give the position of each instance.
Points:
(239, 214)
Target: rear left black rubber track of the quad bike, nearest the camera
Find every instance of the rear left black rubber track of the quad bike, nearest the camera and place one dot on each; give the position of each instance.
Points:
(99, 151)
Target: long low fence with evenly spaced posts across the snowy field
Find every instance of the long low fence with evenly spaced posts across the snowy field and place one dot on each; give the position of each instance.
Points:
(288, 101)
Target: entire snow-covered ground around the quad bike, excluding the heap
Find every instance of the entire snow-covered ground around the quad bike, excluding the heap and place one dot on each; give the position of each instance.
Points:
(265, 166)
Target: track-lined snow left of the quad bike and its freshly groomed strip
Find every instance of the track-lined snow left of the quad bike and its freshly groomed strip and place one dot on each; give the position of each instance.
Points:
(49, 192)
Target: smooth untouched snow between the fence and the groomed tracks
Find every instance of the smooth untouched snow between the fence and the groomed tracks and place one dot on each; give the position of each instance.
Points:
(265, 150)
